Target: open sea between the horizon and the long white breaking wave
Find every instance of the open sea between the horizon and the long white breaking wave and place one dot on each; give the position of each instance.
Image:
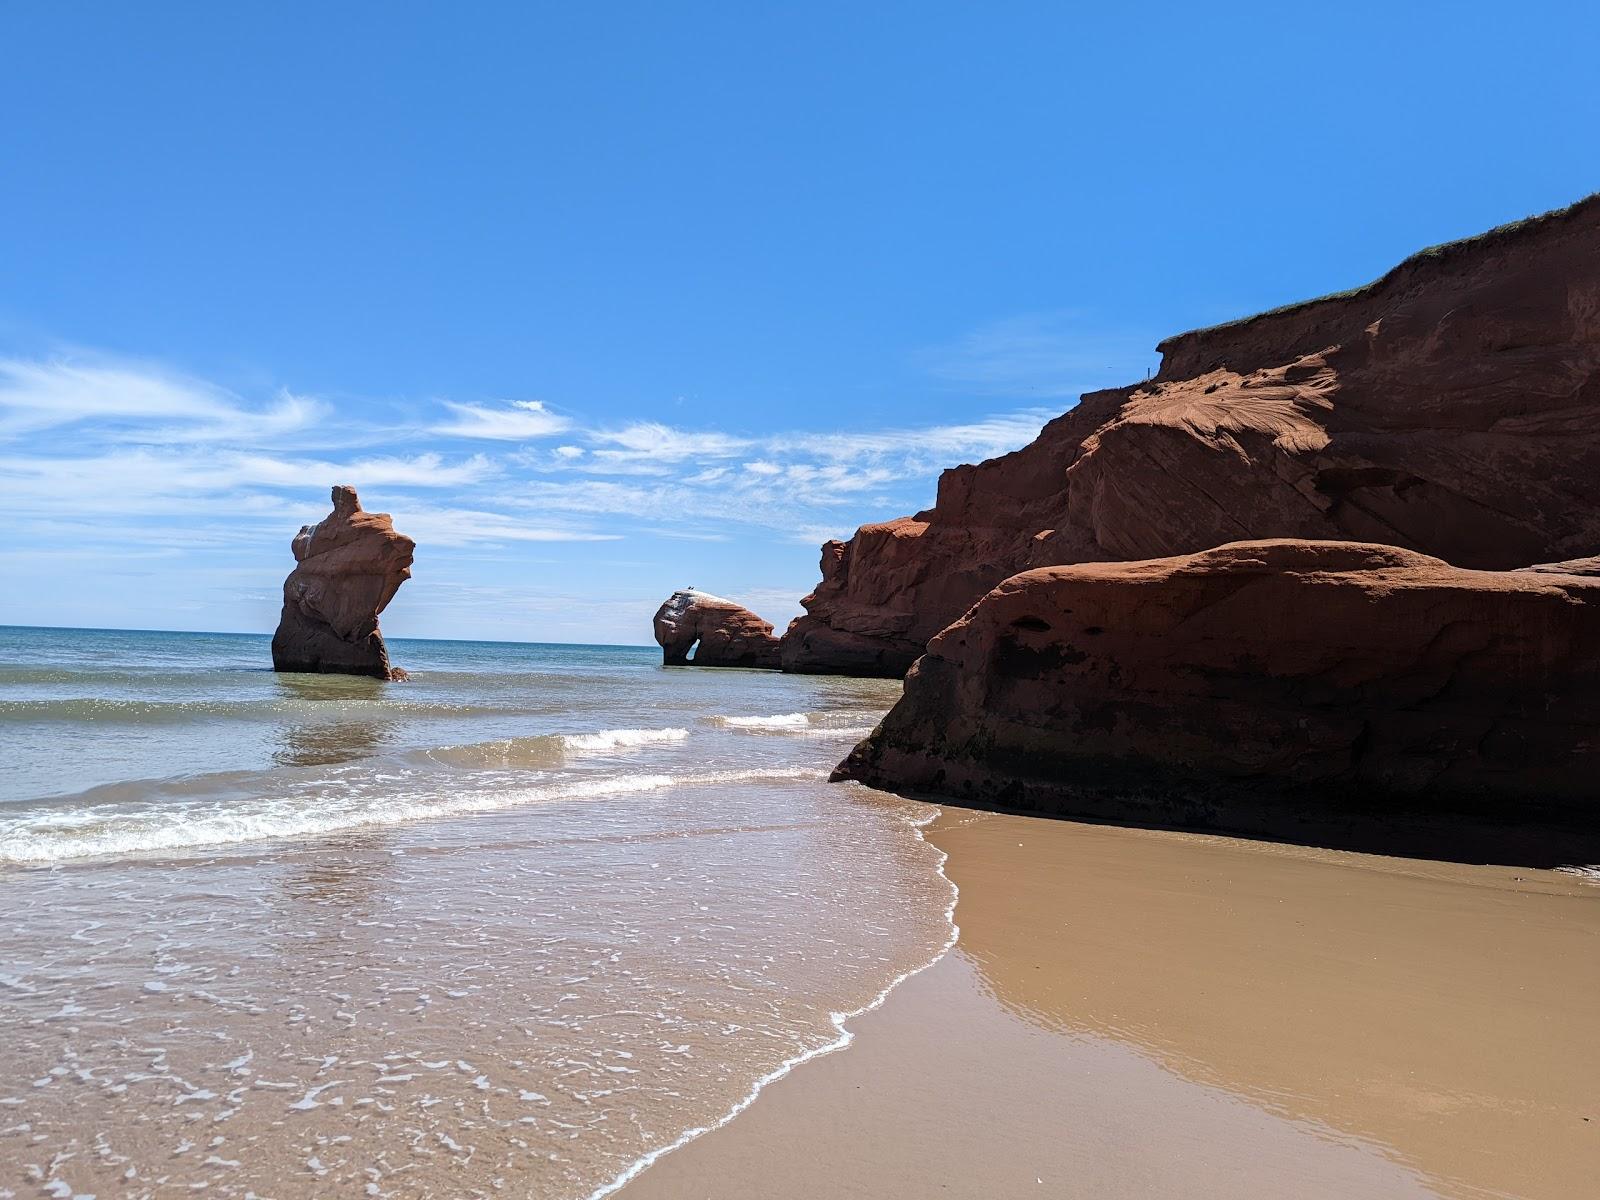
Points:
(199, 726)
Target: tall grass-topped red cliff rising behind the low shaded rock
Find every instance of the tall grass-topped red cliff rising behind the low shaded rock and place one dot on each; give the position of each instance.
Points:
(1452, 407)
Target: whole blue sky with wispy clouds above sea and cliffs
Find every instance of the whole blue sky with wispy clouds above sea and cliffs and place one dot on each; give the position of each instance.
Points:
(601, 302)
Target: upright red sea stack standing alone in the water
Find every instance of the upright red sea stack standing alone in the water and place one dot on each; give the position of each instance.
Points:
(348, 569)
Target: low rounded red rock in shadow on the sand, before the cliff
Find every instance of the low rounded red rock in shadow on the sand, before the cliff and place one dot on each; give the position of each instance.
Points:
(1292, 689)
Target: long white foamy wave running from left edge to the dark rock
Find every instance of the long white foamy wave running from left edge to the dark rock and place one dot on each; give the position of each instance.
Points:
(98, 833)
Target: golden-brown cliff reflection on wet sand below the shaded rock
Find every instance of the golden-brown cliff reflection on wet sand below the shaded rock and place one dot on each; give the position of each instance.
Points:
(1446, 1012)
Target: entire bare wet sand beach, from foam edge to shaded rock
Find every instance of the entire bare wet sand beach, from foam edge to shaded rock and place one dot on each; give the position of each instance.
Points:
(1135, 1014)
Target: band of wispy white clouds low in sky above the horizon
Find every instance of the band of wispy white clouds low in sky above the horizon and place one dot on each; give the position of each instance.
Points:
(191, 487)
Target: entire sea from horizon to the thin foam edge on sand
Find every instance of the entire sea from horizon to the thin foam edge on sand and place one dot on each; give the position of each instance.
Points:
(510, 929)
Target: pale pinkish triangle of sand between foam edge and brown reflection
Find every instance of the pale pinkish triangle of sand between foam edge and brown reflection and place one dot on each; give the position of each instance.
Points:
(946, 1094)
